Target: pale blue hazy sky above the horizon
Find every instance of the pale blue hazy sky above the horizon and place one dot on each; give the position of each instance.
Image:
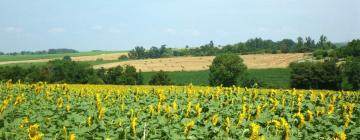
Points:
(31, 25)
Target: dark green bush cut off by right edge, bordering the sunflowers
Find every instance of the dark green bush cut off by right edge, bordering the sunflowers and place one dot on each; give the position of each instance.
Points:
(352, 72)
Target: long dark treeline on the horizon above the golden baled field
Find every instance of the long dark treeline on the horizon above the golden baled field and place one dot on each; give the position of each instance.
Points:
(251, 46)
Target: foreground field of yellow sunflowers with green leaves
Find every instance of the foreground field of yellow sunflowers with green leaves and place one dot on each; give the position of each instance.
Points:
(41, 111)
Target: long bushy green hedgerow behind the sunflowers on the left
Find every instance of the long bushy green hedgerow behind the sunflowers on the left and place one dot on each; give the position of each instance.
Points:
(67, 71)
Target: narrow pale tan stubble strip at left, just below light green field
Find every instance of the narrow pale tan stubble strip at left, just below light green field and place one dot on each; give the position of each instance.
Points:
(110, 56)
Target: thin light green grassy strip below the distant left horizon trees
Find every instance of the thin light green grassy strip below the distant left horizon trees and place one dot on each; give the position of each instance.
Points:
(51, 56)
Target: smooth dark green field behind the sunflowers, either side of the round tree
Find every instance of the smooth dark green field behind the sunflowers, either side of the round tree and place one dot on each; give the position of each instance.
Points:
(276, 78)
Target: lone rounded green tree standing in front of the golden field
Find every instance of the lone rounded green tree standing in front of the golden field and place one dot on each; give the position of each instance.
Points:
(226, 69)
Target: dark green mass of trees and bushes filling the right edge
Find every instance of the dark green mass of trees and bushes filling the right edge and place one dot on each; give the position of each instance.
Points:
(340, 71)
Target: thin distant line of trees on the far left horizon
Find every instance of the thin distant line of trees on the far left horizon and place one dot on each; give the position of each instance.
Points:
(50, 51)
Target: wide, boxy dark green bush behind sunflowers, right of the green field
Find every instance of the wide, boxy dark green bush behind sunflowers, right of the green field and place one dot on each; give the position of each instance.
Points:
(316, 75)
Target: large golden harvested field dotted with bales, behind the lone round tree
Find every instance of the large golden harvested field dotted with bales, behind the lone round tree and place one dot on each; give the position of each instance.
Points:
(254, 61)
